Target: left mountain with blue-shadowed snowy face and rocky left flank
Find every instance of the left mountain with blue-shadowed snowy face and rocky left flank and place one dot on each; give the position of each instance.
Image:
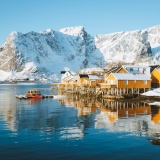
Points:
(49, 51)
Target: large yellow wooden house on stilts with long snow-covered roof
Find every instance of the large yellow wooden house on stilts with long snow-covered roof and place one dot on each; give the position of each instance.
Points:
(124, 83)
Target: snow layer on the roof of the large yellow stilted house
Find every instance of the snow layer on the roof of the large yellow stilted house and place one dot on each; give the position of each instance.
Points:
(129, 76)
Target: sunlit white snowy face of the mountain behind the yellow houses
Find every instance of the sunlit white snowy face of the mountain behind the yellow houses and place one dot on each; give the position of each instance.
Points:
(123, 46)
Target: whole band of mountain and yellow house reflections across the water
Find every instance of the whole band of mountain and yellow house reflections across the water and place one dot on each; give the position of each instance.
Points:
(116, 116)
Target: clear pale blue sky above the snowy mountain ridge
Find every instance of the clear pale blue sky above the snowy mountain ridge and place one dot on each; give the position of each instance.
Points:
(97, 16)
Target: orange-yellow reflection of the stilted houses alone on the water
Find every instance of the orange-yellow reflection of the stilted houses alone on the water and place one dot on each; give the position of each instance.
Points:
(112, 109)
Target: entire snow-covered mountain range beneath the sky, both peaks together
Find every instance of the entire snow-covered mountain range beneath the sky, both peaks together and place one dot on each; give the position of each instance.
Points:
(49, 52)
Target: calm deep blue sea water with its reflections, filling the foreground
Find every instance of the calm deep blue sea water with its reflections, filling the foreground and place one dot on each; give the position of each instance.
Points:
(73, 128)
